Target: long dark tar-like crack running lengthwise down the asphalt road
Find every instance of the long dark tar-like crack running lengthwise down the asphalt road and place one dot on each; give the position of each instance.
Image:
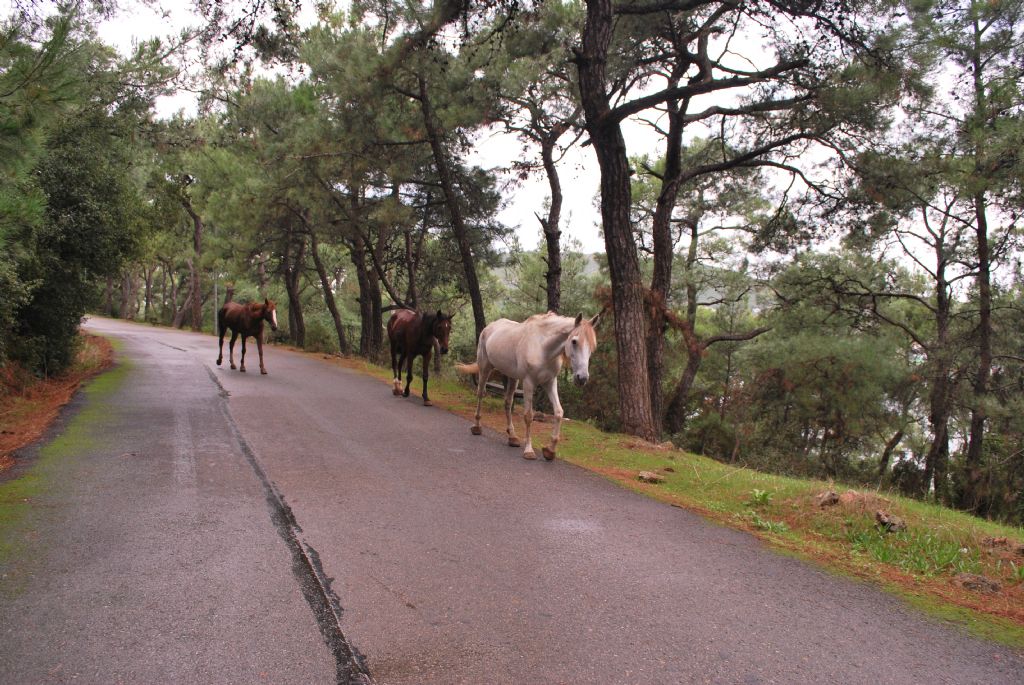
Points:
(316, 585)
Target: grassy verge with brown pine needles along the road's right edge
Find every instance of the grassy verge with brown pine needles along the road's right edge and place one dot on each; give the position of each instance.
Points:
(919, 565)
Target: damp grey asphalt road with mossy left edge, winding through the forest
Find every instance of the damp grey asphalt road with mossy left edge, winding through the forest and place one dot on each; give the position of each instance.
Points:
(202, 526)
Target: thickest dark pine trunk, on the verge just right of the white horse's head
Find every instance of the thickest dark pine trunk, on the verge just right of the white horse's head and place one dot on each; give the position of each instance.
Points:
(627, 288)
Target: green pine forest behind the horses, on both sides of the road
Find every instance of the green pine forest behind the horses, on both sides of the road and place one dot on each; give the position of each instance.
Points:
(812, 263)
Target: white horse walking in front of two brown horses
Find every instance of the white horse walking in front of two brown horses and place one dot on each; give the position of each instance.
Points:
(533, 353)
